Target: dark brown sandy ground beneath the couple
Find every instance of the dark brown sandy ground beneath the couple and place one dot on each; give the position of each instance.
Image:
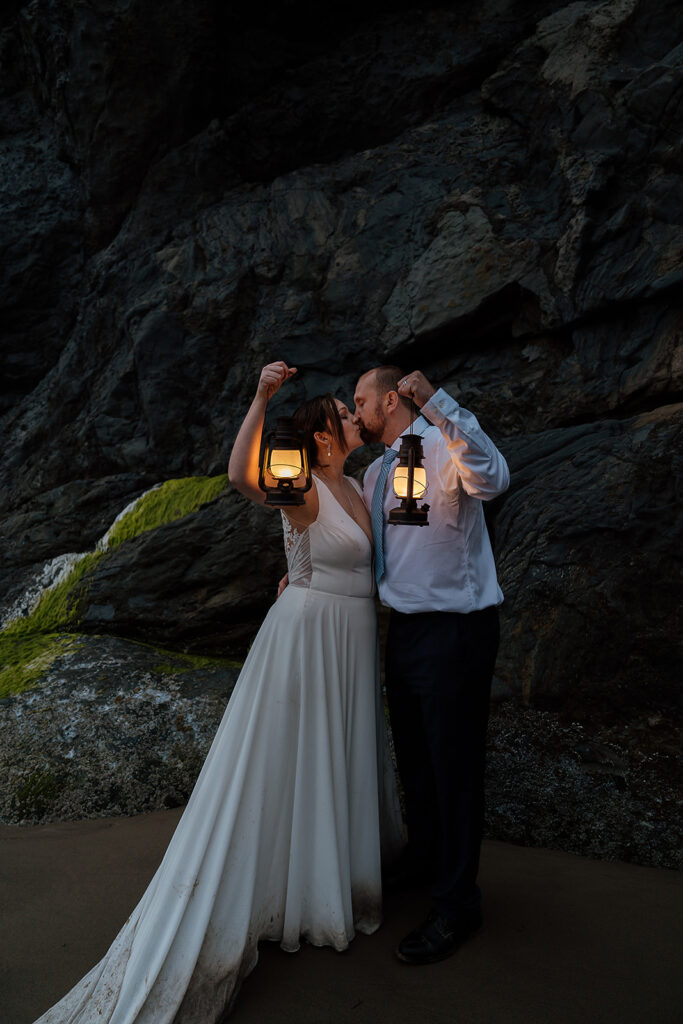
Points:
(566, 940)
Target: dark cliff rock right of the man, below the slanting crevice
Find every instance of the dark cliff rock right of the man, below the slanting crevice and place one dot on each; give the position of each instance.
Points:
(589, 549)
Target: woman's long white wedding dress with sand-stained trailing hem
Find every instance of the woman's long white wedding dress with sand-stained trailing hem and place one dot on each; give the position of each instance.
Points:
(281, 838)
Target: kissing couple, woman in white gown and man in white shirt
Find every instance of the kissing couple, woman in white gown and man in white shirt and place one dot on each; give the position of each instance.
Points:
(296, 810)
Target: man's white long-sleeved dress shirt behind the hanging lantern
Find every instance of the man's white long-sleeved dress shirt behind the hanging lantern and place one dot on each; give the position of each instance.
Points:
(448, 566)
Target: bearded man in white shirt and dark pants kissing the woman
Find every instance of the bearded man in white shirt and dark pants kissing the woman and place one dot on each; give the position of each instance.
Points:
(441, 584)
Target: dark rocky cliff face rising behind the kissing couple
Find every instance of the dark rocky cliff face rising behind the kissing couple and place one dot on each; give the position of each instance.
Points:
(491, 193)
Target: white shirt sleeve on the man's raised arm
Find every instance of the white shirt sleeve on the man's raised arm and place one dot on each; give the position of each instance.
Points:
(476, 462)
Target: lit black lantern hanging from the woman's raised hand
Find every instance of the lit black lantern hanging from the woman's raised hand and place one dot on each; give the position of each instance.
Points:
(284, 470)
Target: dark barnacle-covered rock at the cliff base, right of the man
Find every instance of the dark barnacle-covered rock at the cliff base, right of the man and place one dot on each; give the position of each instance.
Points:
(581, 787)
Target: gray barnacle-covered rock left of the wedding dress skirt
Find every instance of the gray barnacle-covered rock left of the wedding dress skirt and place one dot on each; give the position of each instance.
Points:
(115, 729)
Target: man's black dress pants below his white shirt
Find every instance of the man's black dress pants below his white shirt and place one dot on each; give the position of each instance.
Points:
(440, 667)
